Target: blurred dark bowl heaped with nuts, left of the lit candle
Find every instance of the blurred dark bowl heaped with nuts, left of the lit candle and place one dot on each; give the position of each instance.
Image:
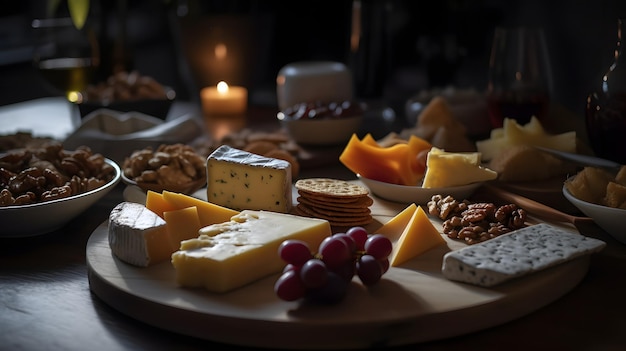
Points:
(128, 92)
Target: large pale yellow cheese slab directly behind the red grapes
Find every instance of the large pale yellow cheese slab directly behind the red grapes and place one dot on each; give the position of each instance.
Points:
(231, 254)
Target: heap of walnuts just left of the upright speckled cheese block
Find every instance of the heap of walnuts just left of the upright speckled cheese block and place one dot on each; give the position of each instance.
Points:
(172, 167)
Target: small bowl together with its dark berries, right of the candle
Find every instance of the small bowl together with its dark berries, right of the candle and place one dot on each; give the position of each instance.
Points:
(317, 123)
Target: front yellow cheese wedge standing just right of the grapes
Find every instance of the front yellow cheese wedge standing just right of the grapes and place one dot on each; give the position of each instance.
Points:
(419, 236)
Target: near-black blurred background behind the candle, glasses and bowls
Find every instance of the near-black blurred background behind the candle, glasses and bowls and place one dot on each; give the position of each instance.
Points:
(413, 45)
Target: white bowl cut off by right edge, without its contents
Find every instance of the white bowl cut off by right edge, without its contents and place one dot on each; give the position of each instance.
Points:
(612, 220)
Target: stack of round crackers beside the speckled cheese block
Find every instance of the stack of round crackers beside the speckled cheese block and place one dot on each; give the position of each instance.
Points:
(341, 203)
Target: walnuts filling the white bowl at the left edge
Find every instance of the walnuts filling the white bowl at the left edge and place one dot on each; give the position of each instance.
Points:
(49, 172)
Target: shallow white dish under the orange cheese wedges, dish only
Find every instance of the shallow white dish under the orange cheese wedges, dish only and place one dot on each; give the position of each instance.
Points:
(416, 194)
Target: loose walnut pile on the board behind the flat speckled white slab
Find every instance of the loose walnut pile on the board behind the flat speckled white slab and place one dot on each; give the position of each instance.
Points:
(475, 222)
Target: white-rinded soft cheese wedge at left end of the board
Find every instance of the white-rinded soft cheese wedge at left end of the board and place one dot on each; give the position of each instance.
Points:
(138, 236)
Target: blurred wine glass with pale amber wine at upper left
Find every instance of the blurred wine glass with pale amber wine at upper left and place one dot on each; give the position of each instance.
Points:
(66, 57)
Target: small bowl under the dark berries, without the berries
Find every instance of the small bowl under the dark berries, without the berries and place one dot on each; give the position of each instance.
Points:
(323, 131)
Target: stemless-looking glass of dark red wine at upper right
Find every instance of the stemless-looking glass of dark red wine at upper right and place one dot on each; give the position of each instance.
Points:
(520, 76)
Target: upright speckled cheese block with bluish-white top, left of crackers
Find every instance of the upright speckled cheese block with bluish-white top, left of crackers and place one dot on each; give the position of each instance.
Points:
(242, 180)
